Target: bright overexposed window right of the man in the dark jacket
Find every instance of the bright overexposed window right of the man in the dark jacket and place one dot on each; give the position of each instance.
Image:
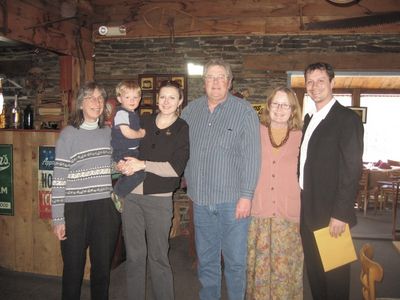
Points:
(381, 132)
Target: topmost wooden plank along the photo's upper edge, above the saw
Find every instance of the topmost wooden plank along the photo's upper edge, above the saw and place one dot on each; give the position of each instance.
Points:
(266, 8)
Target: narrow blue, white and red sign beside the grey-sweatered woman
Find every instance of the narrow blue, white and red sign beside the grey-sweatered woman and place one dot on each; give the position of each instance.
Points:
(45, 178)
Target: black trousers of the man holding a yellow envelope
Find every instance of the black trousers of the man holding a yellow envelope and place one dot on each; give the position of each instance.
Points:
(334, 284)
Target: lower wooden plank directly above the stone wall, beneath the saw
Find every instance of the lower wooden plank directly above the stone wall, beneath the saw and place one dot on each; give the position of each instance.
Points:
(156, 26)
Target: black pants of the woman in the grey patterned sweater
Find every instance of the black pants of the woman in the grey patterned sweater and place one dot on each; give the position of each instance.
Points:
(94, 225)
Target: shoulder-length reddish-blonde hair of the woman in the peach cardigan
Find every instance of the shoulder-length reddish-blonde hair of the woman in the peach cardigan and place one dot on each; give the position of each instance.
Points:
(295, 122)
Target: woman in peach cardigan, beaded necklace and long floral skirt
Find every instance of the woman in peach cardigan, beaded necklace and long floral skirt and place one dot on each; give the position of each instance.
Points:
(275, 255)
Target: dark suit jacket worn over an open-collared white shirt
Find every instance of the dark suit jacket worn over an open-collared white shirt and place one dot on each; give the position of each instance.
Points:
(332, 169)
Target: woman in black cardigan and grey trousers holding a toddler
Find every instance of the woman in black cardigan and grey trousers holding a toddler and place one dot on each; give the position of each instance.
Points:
(147, 210)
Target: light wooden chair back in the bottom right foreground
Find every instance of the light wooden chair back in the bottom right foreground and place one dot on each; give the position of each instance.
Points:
(371, 272)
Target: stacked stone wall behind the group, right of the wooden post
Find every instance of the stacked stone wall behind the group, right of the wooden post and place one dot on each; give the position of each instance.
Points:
(123, 59)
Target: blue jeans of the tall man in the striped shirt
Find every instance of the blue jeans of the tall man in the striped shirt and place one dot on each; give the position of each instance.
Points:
(218, 231)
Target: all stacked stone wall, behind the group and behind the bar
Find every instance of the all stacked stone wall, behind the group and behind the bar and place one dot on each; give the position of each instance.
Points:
(123, 59)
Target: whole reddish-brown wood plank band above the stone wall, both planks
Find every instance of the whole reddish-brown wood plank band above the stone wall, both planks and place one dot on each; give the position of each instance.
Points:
(212, 18)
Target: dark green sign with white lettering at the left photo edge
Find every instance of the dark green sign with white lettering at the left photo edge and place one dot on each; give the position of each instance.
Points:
(6, 181)
